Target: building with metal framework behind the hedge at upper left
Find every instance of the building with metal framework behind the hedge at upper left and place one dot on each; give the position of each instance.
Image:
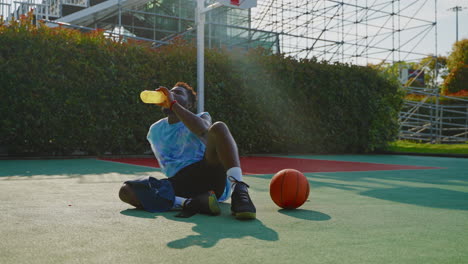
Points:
(157, 20)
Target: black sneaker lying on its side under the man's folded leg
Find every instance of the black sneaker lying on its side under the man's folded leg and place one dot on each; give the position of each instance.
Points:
(205, 203)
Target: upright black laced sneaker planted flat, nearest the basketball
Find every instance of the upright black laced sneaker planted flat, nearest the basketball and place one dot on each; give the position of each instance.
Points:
(241, 204)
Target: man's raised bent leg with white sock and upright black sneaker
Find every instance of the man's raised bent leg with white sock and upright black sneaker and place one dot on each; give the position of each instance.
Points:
(221, 148)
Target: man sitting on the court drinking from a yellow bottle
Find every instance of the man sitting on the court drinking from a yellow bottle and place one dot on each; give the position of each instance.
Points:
(199, 158)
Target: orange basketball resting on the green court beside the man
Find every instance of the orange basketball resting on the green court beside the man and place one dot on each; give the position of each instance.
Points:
(289, 188)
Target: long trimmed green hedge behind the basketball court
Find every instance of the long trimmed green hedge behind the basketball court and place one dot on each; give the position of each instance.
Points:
(63, 91)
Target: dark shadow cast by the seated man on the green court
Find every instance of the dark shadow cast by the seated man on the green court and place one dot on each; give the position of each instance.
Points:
(212, 229)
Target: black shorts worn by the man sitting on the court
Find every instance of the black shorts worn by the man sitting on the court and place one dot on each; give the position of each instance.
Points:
(198, 178)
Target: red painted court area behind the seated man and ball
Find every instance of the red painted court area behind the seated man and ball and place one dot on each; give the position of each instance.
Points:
(271, 165)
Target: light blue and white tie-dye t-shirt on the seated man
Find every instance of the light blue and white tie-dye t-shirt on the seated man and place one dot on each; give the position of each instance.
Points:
(174, 145)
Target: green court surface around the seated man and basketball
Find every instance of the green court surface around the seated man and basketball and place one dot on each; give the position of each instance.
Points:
(68, 211)
